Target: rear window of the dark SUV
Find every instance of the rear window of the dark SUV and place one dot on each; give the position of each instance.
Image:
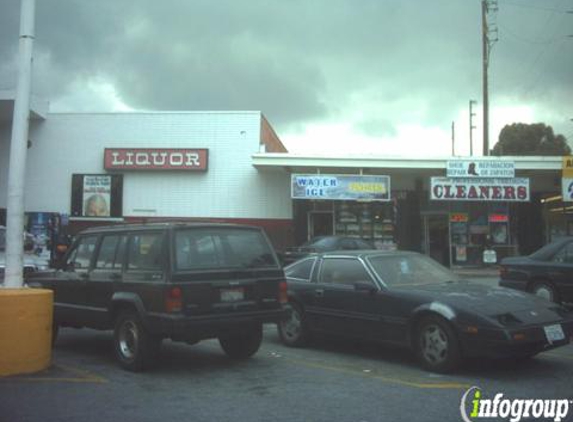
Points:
(222, 248)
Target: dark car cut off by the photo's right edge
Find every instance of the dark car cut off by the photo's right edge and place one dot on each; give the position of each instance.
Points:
(548, 272)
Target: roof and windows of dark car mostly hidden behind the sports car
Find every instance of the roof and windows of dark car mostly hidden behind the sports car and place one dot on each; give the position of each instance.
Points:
(325, 244)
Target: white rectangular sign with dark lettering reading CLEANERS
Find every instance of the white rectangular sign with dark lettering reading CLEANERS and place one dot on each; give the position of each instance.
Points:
(467, 189)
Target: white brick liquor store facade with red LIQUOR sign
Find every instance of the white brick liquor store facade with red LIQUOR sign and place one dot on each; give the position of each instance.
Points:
(225, 186)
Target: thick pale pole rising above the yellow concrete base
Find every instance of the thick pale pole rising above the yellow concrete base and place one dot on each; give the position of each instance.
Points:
(18, 150)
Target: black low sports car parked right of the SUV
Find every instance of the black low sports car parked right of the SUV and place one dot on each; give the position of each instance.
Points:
(407, 299)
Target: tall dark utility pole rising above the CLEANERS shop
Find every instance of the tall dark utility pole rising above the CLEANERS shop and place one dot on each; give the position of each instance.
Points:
(487, 6)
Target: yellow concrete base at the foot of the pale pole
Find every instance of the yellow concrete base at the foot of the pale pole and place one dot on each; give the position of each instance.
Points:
(25, 330)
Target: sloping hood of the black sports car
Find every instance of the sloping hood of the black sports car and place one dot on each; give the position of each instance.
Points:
(480, 298)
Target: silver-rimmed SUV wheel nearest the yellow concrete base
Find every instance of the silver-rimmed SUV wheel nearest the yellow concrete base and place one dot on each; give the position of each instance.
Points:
(135, 348)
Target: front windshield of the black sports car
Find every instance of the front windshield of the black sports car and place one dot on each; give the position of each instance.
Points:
(410, 270)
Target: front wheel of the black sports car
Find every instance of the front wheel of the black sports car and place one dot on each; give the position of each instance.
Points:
(437, 346)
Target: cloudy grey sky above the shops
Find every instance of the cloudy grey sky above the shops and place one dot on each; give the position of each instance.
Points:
(332, 76)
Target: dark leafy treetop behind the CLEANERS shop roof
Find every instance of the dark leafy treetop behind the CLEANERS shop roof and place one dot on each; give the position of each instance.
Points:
(530, 139)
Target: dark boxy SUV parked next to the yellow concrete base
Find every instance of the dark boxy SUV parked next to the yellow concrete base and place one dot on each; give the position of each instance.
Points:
(187, 282)
